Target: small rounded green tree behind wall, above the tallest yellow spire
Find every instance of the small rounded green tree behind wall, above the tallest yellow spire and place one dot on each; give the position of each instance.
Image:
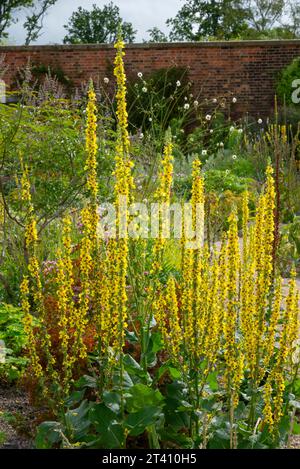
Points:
(97, 26)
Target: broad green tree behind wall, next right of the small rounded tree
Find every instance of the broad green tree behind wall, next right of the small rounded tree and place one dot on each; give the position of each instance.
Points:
(199, 19)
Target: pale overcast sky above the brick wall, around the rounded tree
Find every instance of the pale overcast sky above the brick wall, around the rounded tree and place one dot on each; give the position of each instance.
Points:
(143, 14)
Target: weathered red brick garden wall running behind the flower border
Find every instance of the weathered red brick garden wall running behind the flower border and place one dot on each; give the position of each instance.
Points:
(247, 69)
